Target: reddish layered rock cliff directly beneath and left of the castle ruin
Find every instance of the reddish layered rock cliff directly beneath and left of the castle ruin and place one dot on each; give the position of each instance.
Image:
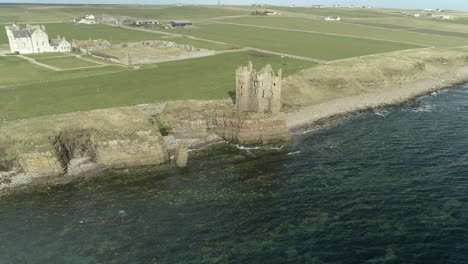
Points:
(215, 120)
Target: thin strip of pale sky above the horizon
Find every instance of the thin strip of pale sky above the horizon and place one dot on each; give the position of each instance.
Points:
(399, 4)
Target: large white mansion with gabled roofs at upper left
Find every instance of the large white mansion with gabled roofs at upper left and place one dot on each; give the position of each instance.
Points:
(34, 39)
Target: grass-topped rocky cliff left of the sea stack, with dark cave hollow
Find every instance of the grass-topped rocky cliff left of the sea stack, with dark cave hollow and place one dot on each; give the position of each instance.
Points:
(112, 138)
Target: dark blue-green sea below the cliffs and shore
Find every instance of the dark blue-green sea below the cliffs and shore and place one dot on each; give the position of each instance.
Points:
(389, 186)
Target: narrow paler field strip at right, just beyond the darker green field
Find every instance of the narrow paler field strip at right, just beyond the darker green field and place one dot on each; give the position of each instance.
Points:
(348, 29)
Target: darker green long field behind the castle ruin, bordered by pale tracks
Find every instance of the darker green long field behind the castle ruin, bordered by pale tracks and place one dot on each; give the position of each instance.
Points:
(318, 46)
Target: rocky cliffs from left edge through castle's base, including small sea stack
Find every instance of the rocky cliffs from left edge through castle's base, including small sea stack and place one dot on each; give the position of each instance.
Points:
(58, 149)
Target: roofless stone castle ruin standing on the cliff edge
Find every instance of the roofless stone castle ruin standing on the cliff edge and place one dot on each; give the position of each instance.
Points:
(259, 92)
